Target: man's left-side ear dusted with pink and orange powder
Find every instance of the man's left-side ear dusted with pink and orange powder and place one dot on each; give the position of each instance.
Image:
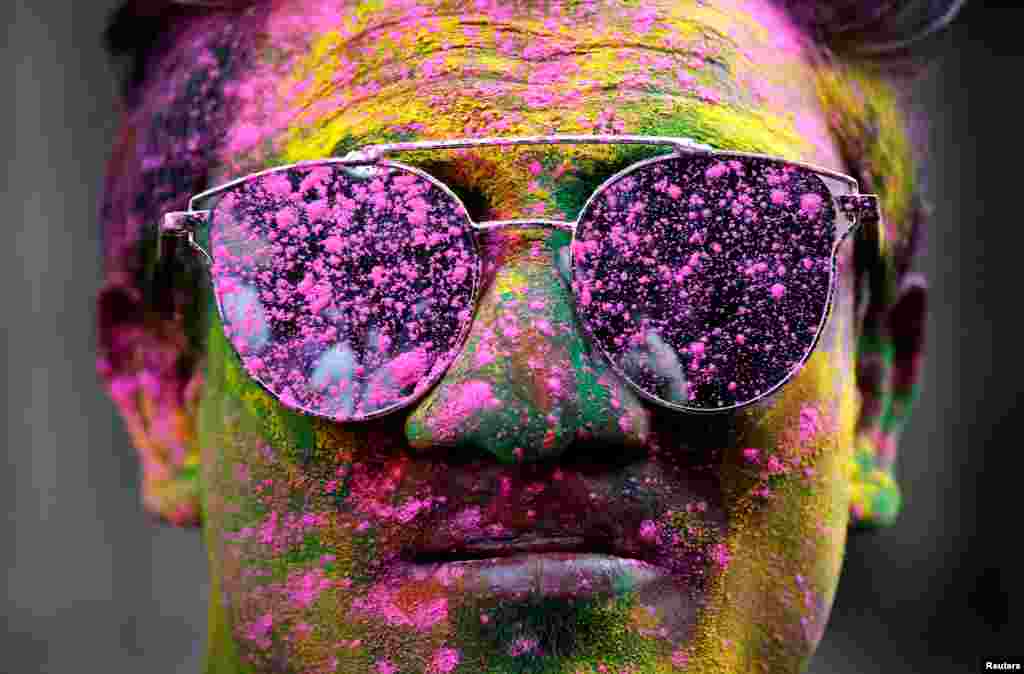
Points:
(155, 384)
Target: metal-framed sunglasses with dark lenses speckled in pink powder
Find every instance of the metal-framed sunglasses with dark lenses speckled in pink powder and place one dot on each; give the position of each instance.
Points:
(348, 286)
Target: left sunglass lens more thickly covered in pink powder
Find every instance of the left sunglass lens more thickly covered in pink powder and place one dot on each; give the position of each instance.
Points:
(346, 291)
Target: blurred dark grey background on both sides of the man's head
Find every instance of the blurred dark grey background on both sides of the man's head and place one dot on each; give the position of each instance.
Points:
(93, 585)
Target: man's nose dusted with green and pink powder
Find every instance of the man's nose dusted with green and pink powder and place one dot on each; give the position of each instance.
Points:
(526, 385)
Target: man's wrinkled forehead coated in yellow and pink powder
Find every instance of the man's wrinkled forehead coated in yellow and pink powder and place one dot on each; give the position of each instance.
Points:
(329, 75)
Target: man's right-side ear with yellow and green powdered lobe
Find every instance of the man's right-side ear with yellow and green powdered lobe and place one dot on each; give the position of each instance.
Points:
(889, 357)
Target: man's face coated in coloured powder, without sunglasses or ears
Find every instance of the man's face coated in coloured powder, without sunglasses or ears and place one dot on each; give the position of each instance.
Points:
(331, 544)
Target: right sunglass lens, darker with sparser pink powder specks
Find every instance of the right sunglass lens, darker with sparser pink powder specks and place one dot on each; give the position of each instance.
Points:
(706, 281)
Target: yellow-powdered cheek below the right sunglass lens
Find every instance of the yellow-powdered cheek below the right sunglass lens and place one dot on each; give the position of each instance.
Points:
(787, 487)
